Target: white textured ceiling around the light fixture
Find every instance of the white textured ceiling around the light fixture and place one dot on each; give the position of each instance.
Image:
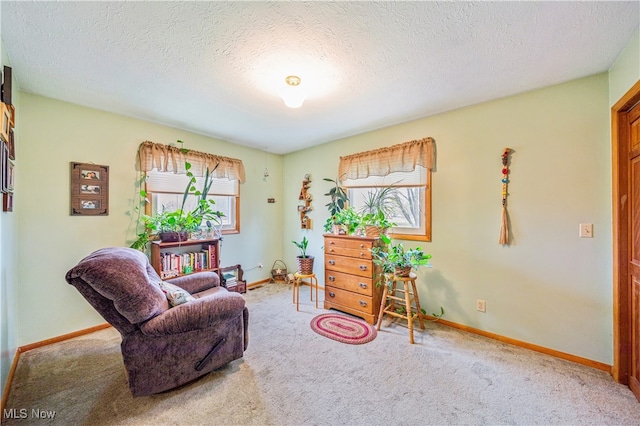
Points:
(216, 68)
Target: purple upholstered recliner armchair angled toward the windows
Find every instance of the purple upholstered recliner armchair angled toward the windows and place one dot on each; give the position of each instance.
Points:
(162, 347)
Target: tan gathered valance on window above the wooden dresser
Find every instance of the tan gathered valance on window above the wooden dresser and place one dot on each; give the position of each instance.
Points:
(380, 162)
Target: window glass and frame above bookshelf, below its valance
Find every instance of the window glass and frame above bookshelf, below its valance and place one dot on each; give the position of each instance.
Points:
(166, 190)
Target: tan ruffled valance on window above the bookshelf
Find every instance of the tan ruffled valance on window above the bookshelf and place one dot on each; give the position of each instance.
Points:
(171, 159)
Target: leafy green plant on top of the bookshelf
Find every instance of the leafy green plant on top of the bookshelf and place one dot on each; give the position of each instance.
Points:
(177, 225)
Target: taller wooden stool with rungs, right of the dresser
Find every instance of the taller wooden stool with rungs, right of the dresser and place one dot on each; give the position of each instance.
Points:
(389, 299)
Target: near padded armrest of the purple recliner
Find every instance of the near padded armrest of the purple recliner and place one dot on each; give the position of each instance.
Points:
(195, 315)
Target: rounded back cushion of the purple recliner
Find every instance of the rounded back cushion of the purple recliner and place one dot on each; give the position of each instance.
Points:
(124, 277)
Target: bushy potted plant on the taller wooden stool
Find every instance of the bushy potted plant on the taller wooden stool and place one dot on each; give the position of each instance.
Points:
(394, 259)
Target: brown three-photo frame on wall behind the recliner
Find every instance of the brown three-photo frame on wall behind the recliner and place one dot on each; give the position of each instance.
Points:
(89, 189)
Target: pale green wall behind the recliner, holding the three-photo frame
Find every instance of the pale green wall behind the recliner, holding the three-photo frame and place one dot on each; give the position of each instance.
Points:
(51, 241)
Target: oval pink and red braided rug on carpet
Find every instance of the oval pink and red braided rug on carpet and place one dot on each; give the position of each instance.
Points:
(343, 329)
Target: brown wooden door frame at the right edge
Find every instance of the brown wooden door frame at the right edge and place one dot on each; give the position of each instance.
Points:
(620, 193)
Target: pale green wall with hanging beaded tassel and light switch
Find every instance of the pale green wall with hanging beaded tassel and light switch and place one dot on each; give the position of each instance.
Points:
(550, 287)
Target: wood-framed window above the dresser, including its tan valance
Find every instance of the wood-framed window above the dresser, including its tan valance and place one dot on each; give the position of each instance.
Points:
(401, 175)
